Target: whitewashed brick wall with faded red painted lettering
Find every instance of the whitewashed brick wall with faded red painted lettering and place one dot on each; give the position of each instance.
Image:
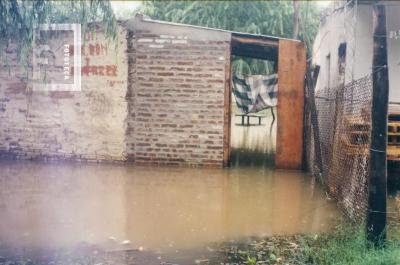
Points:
(85, 125)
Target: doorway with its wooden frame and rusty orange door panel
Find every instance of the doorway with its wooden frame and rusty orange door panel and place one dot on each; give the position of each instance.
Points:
(283, 61)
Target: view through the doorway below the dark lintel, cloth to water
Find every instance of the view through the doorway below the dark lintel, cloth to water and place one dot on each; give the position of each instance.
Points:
(253, 112)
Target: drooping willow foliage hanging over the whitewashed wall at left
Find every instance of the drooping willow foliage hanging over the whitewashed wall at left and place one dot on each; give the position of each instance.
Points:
(19, 18)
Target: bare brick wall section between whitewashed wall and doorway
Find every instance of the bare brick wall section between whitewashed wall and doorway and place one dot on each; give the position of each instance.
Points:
(178, 94)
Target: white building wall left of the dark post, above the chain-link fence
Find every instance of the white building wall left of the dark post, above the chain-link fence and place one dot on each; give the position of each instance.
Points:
(332, 32)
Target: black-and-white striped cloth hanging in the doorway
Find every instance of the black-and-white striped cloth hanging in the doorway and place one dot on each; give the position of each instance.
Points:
(255, 92)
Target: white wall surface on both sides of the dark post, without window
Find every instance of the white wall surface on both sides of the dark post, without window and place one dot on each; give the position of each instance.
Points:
(332, 33)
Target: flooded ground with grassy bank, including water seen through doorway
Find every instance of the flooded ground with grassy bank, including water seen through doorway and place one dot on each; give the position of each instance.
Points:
(72, 213)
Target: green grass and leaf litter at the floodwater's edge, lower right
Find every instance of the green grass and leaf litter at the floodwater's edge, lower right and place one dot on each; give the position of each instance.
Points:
(347, 245)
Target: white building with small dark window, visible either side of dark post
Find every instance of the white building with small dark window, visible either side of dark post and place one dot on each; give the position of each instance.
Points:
(343, 47)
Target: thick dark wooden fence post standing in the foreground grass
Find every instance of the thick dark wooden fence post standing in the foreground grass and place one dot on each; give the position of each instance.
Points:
(376, 217)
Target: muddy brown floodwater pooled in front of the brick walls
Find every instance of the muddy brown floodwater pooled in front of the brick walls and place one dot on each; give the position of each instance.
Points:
(58, 205)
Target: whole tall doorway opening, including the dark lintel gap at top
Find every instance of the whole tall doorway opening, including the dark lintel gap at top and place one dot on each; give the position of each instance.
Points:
(253, 100)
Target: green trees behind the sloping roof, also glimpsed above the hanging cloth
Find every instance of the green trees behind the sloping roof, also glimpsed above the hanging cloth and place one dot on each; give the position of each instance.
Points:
(258, 17)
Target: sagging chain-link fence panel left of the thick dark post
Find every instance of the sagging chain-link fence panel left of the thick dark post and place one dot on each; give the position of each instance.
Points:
(343, 125)
